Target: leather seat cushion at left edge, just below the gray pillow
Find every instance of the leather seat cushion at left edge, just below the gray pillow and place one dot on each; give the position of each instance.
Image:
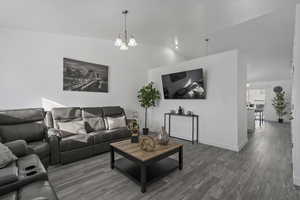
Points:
(9, 174)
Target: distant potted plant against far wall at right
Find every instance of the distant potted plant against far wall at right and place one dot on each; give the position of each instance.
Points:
(279, 103)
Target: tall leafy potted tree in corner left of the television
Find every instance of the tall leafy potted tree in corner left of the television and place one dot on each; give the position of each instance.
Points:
(147, 96)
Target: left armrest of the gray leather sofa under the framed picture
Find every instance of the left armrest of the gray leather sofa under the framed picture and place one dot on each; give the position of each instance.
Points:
(53, 139)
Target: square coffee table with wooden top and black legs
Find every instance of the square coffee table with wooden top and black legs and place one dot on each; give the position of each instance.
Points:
(145, 167)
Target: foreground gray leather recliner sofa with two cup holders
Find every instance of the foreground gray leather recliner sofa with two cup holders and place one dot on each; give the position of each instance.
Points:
(26, 178)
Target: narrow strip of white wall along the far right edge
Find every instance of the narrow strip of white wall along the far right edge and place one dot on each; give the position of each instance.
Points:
(296, 101)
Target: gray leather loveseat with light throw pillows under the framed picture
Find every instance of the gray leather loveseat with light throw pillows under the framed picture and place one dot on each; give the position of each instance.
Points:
(75, 147)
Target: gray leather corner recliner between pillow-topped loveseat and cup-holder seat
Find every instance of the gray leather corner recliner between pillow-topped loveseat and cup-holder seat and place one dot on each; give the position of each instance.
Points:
(28, 125)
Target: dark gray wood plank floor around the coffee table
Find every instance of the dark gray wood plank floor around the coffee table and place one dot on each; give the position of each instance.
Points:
(262, 170)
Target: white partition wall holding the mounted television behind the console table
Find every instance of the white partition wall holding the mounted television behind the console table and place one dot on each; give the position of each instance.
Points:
(218, 114)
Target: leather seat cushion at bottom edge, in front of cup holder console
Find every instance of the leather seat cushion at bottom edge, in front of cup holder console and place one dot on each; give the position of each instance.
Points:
(40, 190)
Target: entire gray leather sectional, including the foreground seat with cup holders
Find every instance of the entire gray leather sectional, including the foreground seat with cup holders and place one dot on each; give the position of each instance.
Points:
(36, 137)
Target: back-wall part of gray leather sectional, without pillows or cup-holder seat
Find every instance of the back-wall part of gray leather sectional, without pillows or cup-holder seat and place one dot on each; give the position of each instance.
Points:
(41, 131)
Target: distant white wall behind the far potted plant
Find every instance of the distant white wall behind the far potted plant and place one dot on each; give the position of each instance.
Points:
(269, 111)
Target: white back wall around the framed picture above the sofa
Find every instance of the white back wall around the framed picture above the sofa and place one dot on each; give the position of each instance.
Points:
(31, 66)
